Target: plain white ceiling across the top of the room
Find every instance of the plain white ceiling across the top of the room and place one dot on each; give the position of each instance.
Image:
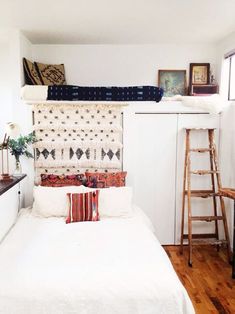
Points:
(119, 21)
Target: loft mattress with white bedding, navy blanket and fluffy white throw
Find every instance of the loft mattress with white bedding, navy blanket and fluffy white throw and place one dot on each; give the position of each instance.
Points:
(150, 96)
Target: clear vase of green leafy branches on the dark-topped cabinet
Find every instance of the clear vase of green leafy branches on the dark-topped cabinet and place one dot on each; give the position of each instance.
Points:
(19, 147)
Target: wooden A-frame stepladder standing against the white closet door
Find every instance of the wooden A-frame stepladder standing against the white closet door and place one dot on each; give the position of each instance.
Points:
(208, 238)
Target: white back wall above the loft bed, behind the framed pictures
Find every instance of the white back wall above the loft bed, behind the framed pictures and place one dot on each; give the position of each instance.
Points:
(121, 64)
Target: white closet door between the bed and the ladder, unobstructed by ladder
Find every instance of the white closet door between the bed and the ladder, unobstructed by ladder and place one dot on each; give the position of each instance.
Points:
(154, 169)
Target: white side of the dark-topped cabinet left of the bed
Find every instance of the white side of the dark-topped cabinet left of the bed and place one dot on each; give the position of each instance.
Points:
(9, 206)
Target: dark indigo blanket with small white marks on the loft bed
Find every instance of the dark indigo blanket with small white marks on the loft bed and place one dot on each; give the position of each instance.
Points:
(132, 93)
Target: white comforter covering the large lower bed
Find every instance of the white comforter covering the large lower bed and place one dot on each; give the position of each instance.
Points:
(115, 266)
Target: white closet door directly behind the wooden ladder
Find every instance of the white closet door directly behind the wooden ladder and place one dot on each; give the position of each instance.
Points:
(199, 139)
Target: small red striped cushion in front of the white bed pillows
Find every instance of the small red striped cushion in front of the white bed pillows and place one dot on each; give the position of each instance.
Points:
(83, 207)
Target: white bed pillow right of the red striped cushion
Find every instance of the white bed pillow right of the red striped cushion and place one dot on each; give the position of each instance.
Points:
(116, 202)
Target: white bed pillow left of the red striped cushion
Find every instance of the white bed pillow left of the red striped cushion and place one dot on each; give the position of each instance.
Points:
(53, 201)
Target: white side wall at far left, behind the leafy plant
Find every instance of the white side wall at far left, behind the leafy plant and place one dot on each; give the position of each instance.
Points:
(12, 108)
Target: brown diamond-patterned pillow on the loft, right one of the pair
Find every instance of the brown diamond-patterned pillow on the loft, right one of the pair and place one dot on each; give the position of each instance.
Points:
(51, 74)
